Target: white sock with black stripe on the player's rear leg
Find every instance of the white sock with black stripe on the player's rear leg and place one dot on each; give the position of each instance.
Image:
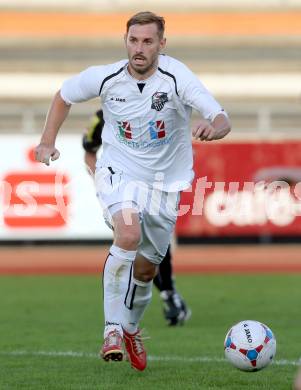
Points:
(137, 298)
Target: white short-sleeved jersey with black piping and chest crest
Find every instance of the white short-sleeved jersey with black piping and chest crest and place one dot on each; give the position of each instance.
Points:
(147, 123)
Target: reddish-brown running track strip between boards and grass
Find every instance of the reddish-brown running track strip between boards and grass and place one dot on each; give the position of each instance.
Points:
(187, 259)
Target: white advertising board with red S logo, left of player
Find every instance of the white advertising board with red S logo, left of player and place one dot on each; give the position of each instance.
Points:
(55, 202)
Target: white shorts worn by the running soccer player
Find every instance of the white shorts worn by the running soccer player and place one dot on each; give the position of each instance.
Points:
(157, 209)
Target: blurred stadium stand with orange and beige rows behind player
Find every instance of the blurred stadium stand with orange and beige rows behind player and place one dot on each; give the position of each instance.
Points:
(250, 59)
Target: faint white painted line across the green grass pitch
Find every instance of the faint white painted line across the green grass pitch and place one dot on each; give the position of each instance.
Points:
(181, 359)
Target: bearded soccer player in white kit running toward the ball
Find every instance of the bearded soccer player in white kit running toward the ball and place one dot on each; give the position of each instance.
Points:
(147, 101)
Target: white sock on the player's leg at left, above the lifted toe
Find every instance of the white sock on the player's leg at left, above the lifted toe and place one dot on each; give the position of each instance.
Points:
(115, 283)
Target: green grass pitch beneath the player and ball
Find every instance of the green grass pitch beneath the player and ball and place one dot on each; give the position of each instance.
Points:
(51, 331)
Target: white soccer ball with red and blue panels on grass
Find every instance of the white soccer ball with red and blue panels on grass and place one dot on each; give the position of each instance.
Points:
(250, 345)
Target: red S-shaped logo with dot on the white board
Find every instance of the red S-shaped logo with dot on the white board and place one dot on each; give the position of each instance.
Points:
(35, 198)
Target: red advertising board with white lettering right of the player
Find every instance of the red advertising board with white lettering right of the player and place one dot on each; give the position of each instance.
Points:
(243, 189)
